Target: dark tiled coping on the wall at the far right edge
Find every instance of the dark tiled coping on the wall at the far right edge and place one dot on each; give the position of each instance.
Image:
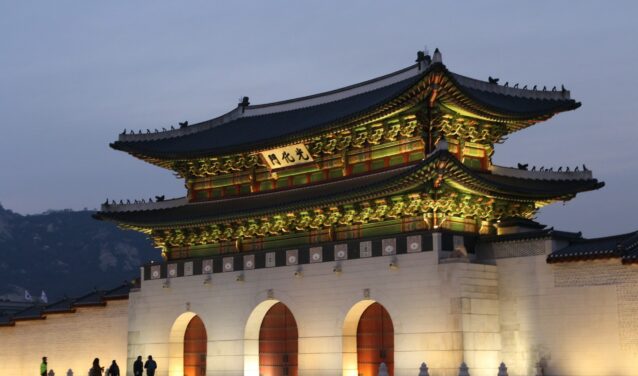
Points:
(623, 247)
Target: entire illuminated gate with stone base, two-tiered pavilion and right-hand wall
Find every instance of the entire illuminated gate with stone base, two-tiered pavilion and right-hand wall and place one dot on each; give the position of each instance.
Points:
(328, 234)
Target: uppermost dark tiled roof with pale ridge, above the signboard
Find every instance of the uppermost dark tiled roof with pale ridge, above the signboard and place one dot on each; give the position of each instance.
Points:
(262, 126)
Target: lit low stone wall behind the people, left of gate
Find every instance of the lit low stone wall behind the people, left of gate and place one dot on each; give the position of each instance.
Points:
(70, 341)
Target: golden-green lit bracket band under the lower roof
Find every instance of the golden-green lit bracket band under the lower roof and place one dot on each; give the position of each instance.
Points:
(433, 208)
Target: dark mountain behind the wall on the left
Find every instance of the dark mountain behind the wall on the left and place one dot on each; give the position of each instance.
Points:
(66, 253)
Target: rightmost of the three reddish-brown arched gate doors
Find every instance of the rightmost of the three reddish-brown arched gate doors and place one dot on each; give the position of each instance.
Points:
(375, 341)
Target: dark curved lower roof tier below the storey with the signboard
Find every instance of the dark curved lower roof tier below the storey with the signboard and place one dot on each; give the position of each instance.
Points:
(376, 185)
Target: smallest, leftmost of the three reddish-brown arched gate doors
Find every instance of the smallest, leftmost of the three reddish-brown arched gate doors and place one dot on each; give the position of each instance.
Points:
(195, 348)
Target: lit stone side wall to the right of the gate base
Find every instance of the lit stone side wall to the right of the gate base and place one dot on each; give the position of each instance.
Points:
(578, 318)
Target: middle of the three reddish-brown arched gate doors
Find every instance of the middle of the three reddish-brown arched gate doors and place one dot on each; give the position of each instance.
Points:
(278, 342)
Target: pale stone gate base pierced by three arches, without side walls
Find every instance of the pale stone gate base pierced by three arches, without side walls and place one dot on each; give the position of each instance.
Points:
(441, 314)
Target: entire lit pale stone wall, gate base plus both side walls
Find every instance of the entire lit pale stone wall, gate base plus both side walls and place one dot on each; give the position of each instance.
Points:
(579, 318)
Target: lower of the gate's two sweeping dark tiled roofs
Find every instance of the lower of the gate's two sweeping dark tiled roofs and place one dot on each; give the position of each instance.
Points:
(352, 189)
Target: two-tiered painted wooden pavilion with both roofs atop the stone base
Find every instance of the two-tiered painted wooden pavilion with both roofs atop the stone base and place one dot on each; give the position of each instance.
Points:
(409, 151)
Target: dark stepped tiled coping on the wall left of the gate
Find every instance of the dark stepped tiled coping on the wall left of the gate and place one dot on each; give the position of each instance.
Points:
(39, 310)
